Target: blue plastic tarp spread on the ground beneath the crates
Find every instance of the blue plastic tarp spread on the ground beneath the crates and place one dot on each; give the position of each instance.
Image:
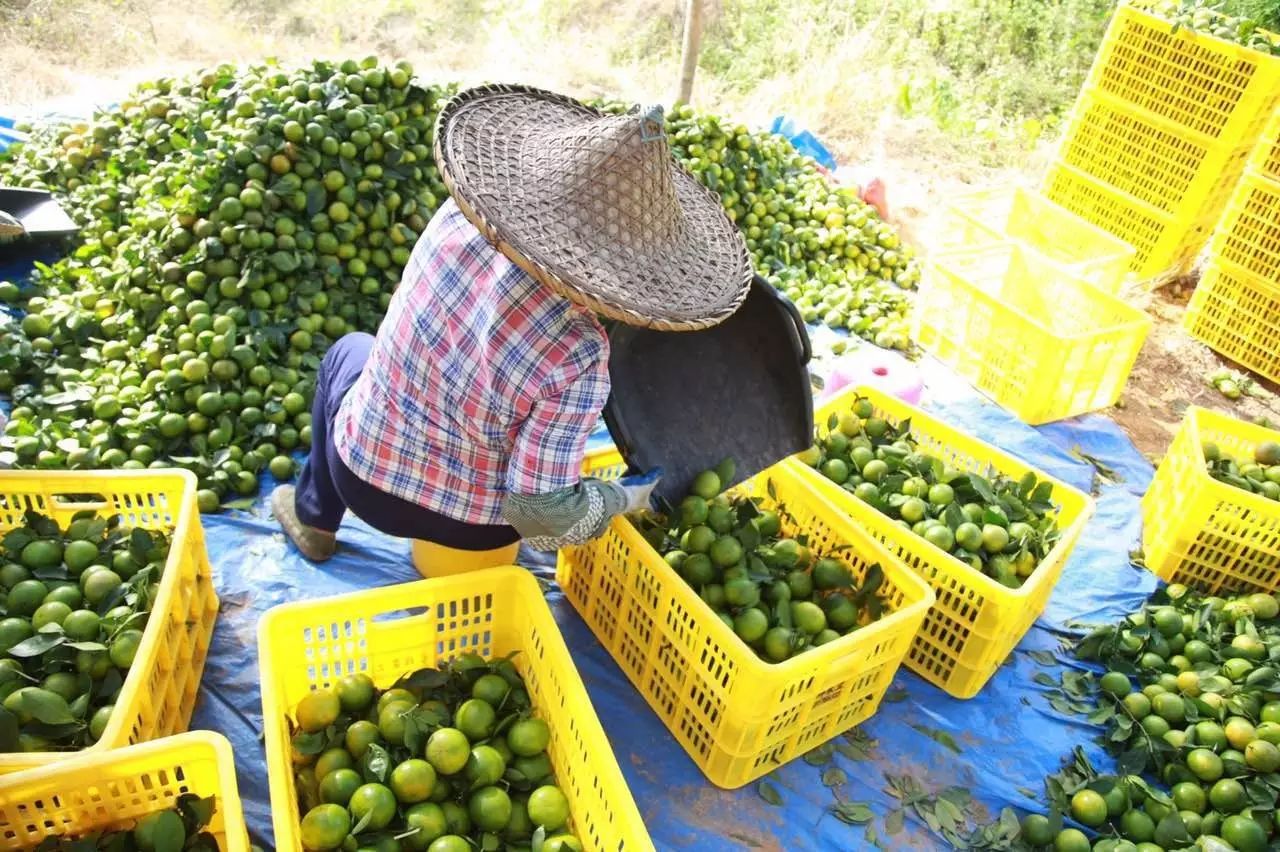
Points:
(1000, 745)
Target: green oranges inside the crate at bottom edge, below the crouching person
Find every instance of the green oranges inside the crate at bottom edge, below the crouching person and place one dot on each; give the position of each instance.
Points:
(446, 761)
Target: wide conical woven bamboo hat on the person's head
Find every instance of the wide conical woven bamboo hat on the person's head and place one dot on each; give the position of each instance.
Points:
(593, 207)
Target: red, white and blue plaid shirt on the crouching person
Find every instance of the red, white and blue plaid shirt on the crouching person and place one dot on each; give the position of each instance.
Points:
(482, 382)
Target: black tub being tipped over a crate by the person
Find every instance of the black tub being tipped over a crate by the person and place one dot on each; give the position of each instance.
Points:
(687, 401)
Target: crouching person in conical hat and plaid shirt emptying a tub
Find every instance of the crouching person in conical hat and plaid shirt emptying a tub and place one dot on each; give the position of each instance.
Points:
(464, 423)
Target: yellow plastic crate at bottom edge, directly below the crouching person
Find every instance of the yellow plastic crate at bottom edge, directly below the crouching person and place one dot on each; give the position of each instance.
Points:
(392, 631)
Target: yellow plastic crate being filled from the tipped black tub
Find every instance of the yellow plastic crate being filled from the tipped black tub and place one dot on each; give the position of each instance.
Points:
(738, 716)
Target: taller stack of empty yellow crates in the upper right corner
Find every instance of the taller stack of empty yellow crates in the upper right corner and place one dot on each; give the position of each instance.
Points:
(1162, 135)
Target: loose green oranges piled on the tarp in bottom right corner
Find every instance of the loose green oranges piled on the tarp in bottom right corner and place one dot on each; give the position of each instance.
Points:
(1191, 698)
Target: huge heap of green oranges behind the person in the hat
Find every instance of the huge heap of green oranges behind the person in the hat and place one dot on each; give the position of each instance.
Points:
(237, 222)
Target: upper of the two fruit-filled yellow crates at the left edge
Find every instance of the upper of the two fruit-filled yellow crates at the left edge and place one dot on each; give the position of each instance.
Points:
(159, 693)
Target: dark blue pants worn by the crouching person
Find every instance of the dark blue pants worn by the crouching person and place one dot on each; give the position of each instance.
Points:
(328, 488)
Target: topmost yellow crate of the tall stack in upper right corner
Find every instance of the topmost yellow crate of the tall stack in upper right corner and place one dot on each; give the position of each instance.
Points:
(1210, 86)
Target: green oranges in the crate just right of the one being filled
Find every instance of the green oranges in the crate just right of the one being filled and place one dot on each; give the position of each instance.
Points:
(996, 525)
